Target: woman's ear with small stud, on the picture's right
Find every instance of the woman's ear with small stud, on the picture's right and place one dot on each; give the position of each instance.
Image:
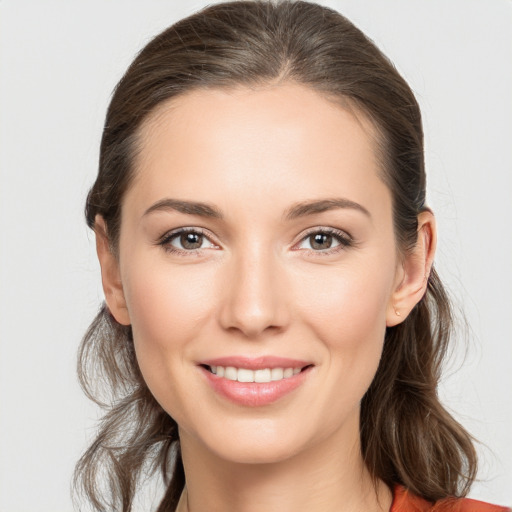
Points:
(412, 277)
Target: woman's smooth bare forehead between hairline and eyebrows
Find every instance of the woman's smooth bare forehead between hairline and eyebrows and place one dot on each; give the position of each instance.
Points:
(284, 140)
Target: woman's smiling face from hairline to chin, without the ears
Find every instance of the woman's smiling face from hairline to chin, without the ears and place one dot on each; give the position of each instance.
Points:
(257, 243)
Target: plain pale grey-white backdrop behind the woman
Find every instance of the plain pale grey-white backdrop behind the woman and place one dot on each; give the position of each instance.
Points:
(59, 62)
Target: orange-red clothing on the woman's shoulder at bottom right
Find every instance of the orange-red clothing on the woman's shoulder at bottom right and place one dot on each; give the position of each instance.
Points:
(405, 501)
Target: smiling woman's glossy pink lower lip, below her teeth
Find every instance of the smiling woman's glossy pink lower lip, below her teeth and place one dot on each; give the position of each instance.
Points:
(255, 394)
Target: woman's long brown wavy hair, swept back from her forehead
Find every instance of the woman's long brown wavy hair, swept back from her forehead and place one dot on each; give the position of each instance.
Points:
(407, 437)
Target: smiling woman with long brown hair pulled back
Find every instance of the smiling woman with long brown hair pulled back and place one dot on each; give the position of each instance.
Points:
(273, 327)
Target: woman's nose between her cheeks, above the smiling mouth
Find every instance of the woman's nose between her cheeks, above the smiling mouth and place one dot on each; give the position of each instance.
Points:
(254, 294)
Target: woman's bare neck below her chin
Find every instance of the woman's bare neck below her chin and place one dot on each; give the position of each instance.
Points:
(316, 480)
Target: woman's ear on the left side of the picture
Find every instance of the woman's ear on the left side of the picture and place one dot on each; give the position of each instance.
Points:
(110, 275)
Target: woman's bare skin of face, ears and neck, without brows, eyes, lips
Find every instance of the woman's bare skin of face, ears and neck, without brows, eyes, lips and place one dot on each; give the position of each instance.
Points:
(258, 287)
